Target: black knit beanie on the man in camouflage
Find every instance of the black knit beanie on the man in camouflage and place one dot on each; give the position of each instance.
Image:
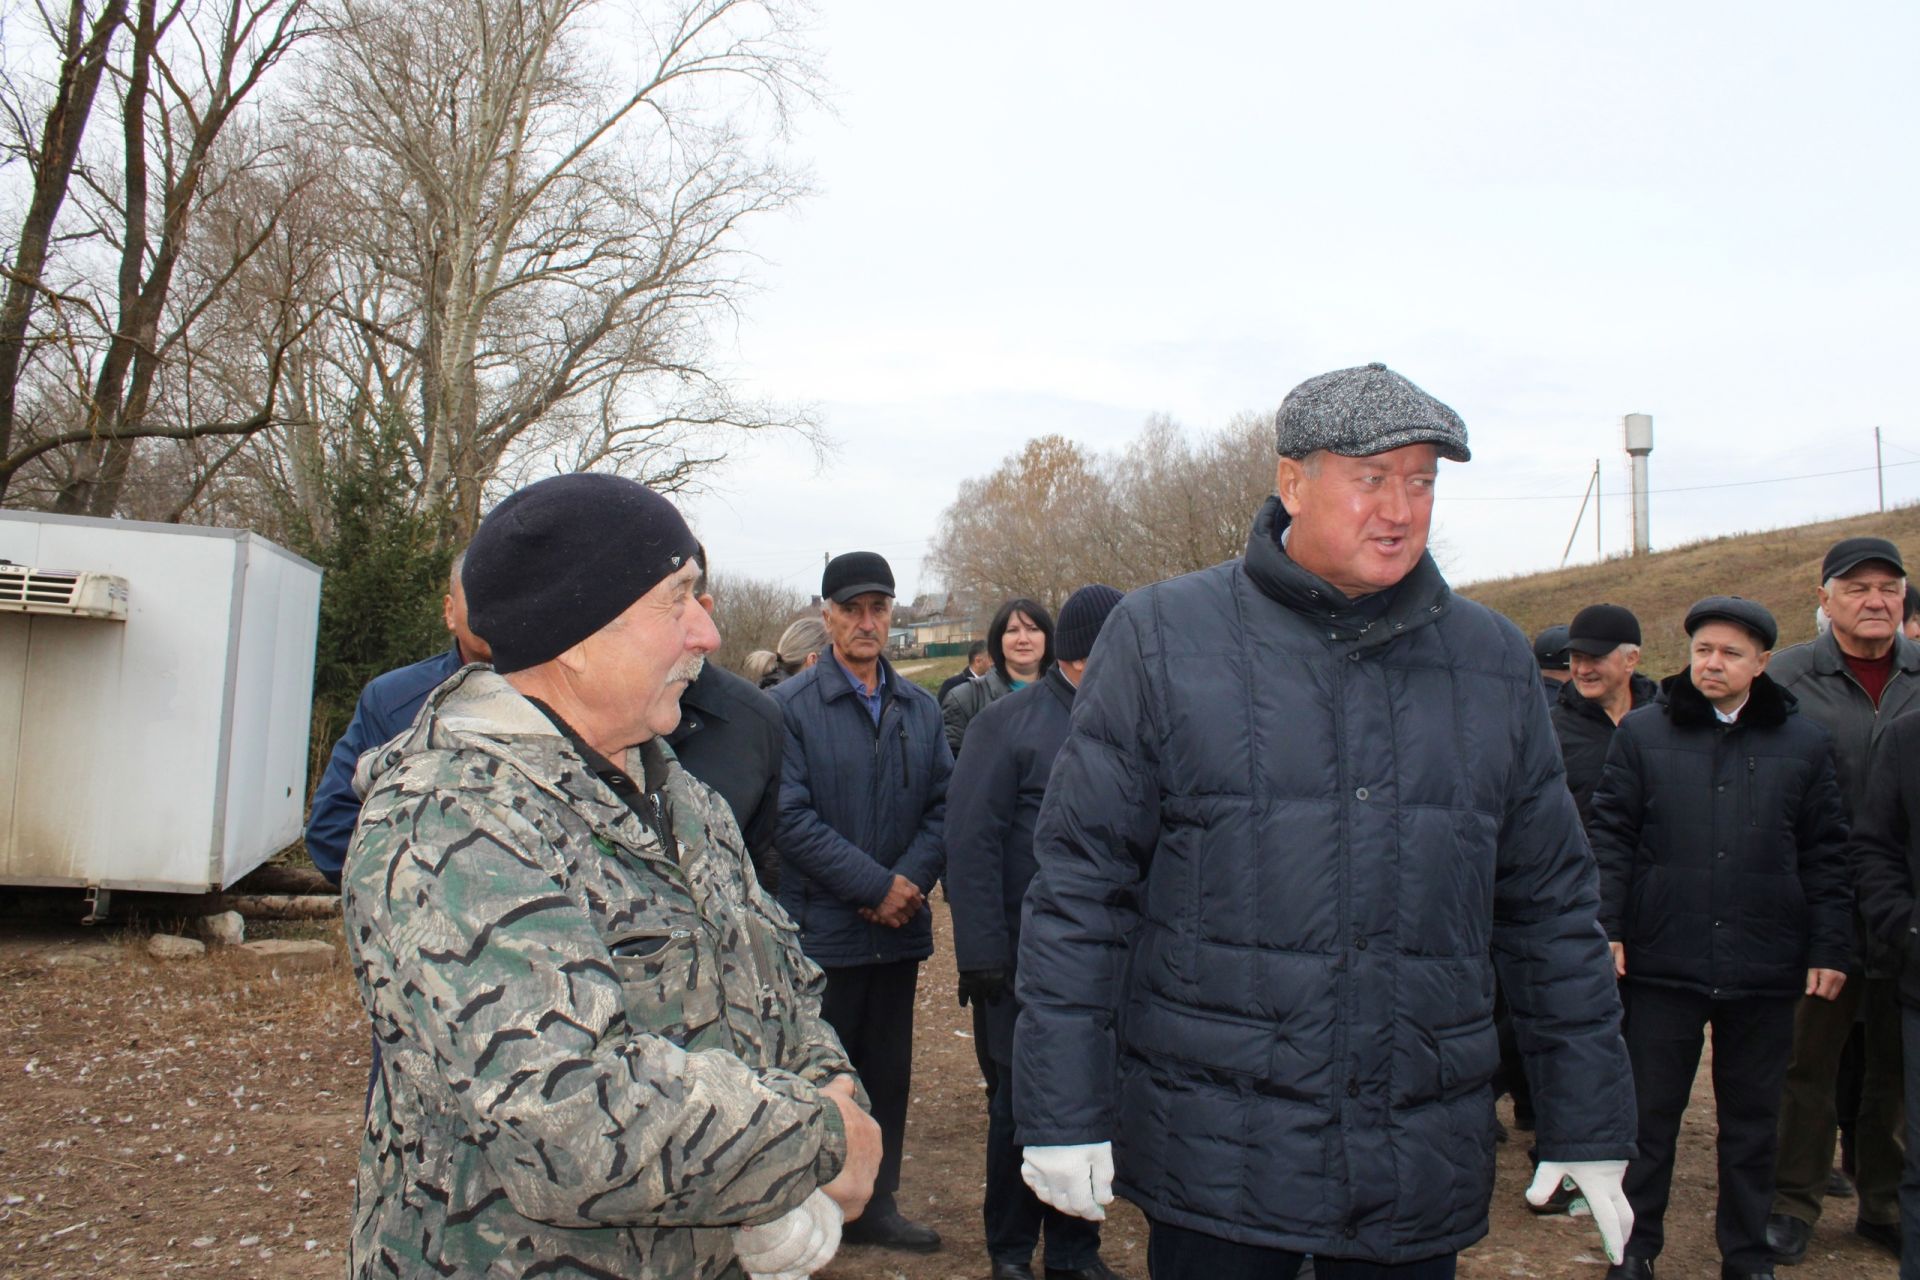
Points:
(562, 559)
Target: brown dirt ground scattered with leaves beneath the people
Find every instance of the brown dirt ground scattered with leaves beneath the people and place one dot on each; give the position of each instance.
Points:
(203, 1118)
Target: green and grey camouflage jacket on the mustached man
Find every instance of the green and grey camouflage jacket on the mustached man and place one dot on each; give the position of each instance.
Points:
(596, 1058)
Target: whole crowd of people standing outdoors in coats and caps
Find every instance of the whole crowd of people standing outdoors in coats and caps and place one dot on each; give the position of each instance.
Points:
(1264, 882)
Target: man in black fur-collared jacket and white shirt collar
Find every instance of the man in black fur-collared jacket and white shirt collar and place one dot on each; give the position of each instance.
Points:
(1721, 849)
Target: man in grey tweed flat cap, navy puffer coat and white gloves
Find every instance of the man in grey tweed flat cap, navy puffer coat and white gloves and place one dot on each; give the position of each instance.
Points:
(1308, 805)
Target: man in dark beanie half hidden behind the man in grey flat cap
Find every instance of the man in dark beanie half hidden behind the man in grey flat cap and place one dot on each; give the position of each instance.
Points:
(996, 799)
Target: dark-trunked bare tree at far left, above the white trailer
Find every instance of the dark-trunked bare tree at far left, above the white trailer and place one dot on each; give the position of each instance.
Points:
(112, 366)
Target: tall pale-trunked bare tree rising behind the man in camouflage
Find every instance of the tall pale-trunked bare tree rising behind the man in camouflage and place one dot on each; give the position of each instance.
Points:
(535, 254)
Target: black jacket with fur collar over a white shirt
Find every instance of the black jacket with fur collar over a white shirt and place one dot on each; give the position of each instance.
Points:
(1723, 847)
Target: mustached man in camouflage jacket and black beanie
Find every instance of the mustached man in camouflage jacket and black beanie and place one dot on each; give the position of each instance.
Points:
(602, 1049)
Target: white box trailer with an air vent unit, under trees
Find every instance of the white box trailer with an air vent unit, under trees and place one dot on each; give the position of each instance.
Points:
(156, 686)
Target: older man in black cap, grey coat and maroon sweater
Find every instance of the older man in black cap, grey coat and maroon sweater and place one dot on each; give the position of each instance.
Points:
(1854, 680)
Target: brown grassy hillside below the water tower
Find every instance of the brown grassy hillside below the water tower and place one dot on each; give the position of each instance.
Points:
(1779, 569)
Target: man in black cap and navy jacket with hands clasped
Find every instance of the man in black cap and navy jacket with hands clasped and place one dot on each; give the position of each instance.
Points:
(861, 841)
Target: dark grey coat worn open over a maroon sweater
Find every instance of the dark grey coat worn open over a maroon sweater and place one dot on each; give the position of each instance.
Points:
(1829, 694)
